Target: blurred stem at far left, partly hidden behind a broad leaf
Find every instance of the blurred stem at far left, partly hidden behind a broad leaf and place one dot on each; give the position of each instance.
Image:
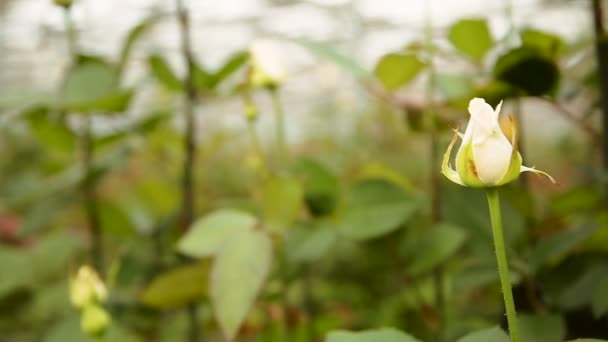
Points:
(87, 184)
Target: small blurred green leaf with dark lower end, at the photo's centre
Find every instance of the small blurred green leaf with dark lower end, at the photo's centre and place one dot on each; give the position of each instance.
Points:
(320, 186)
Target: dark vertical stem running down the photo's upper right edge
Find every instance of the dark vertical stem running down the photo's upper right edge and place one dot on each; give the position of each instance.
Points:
(601, 49)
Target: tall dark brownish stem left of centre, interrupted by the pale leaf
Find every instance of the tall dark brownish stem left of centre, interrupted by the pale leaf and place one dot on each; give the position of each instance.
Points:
(188, 182)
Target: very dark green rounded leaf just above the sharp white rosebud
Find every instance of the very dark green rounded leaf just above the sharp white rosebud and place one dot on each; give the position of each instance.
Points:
(528, 70)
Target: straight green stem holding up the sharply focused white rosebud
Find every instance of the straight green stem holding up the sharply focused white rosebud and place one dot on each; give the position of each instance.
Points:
(503, 265)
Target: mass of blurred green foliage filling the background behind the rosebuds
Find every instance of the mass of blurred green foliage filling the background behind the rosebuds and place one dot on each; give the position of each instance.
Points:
(344, 237)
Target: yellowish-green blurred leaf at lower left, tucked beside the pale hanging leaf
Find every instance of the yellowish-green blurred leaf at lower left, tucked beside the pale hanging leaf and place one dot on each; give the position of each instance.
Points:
(191, 280)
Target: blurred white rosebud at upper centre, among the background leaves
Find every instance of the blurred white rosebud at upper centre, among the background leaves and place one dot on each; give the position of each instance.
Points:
(267, 64)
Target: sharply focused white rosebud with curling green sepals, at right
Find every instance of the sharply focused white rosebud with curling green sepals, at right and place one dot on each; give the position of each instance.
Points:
(486, 157)
